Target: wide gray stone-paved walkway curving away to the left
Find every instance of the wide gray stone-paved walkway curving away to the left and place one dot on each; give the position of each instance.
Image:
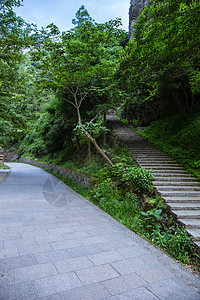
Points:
(56, 245)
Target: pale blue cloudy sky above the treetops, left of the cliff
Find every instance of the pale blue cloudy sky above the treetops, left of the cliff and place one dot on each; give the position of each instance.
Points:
(61, 12)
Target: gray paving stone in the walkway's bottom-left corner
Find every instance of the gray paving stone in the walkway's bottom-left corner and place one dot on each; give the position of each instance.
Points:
(22, 291)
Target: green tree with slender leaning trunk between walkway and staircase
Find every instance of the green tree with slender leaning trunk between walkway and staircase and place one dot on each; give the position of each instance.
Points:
(72, 66)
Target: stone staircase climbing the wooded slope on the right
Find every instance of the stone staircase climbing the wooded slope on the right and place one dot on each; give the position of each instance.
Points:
(177, 187)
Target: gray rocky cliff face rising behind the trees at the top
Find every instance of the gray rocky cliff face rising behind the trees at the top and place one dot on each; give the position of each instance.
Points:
(136, 6)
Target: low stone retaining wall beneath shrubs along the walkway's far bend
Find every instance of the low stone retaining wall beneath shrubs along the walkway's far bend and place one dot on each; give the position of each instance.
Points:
(78, 177)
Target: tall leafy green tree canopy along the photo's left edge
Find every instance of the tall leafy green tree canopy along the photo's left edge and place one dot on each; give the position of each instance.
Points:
(14, 37)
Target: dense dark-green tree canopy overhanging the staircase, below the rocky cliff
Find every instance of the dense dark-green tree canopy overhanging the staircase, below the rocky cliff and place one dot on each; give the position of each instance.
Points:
(161, 65)
